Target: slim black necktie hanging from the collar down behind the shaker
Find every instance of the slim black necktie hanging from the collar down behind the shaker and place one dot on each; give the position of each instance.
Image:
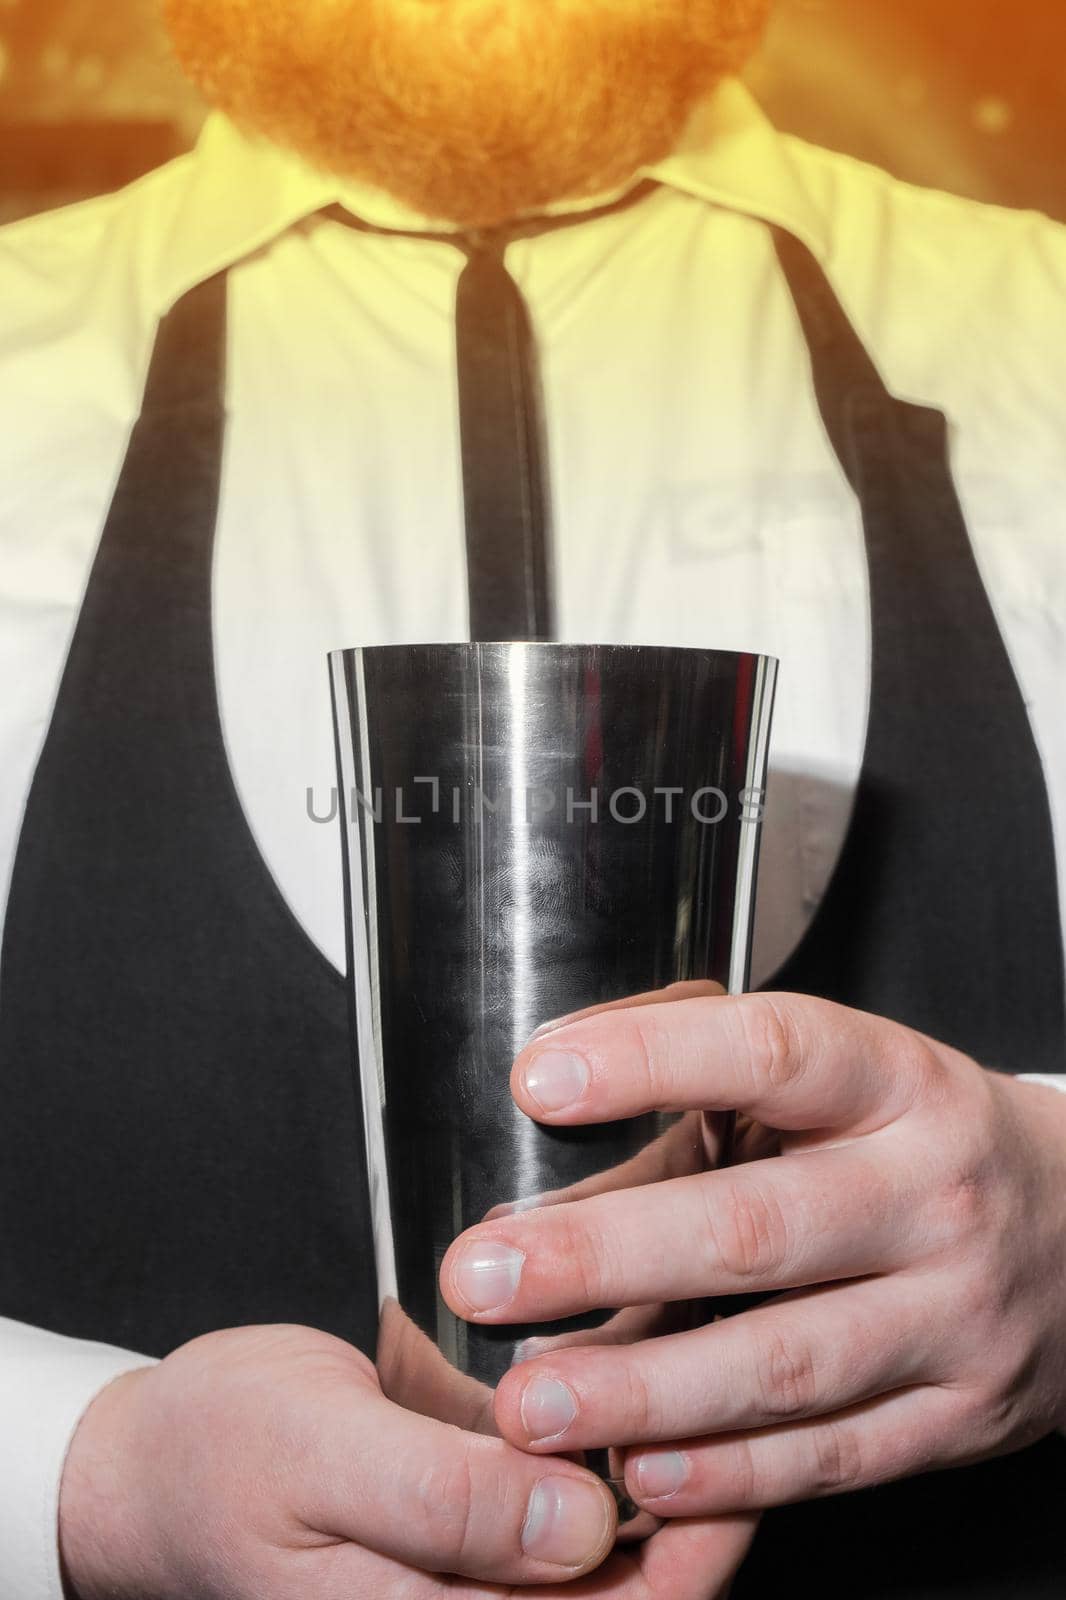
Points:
(505, 458)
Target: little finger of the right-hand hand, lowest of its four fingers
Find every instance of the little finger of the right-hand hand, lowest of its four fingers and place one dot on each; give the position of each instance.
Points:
(884, 1439)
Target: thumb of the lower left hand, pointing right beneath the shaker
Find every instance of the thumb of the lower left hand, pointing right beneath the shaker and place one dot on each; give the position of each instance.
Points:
(447, 1502)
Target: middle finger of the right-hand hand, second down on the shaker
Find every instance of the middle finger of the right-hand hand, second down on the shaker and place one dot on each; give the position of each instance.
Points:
(779, 1225)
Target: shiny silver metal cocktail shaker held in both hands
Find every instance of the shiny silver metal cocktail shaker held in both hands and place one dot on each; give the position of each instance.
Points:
(529, 830)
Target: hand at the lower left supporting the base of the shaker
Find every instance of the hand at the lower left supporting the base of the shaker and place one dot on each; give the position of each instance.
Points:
(266, 1463)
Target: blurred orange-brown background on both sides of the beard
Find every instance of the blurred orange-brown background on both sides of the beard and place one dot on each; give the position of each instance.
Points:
(961, 95)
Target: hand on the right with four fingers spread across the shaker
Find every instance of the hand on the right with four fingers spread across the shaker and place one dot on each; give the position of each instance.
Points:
(908, 1217)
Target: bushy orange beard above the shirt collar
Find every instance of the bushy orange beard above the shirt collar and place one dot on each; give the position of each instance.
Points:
(475, 111)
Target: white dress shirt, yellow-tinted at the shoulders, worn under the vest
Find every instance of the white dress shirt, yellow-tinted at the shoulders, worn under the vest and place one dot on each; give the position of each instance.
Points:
(695, 497)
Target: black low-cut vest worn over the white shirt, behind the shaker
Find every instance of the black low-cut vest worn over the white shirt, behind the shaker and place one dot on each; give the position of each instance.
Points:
(182, 1148)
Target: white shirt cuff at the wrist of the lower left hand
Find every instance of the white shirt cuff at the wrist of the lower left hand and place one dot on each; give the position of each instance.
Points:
(47, 1385)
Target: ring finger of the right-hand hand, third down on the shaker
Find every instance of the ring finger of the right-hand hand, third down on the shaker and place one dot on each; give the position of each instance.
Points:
(798, 1358)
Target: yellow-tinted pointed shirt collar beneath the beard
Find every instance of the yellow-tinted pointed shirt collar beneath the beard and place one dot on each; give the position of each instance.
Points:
(242, 193)
